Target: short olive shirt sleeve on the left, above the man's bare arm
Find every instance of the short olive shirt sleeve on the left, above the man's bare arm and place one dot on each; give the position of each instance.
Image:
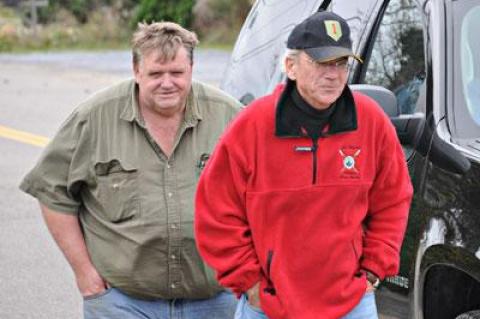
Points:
(57, 177)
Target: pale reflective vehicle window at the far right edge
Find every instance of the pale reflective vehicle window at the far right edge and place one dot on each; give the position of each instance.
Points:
(466, 71)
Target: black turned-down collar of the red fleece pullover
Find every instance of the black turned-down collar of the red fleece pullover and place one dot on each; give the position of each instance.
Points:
(343, 118)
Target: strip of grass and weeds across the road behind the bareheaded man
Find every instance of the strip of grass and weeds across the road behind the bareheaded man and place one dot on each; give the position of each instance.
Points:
(100, 33)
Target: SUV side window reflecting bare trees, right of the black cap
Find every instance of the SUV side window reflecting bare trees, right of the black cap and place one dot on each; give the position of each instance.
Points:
(397, 59)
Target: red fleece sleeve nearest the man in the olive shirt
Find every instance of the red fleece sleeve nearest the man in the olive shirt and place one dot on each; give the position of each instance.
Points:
(221, 227)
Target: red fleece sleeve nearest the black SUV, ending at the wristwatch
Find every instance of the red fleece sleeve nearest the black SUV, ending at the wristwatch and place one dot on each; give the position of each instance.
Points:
(389, 203)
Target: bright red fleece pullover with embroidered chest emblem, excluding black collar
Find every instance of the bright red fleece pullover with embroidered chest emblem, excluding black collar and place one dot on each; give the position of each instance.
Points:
(260, 218)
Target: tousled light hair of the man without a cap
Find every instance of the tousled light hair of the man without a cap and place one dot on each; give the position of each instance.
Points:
(164, 37)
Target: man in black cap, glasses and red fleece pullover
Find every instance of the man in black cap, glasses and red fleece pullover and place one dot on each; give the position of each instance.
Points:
(303, 205)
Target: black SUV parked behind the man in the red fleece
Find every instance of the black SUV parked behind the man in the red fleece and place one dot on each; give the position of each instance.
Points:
(427, 54)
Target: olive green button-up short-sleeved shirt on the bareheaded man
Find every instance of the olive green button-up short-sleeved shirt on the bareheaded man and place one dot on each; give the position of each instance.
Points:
(135, 205)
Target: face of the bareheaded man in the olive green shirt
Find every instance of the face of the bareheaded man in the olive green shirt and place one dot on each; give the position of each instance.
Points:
(164, 85)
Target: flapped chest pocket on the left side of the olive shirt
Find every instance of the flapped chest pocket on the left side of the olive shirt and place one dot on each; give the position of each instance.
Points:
(117, 190)
